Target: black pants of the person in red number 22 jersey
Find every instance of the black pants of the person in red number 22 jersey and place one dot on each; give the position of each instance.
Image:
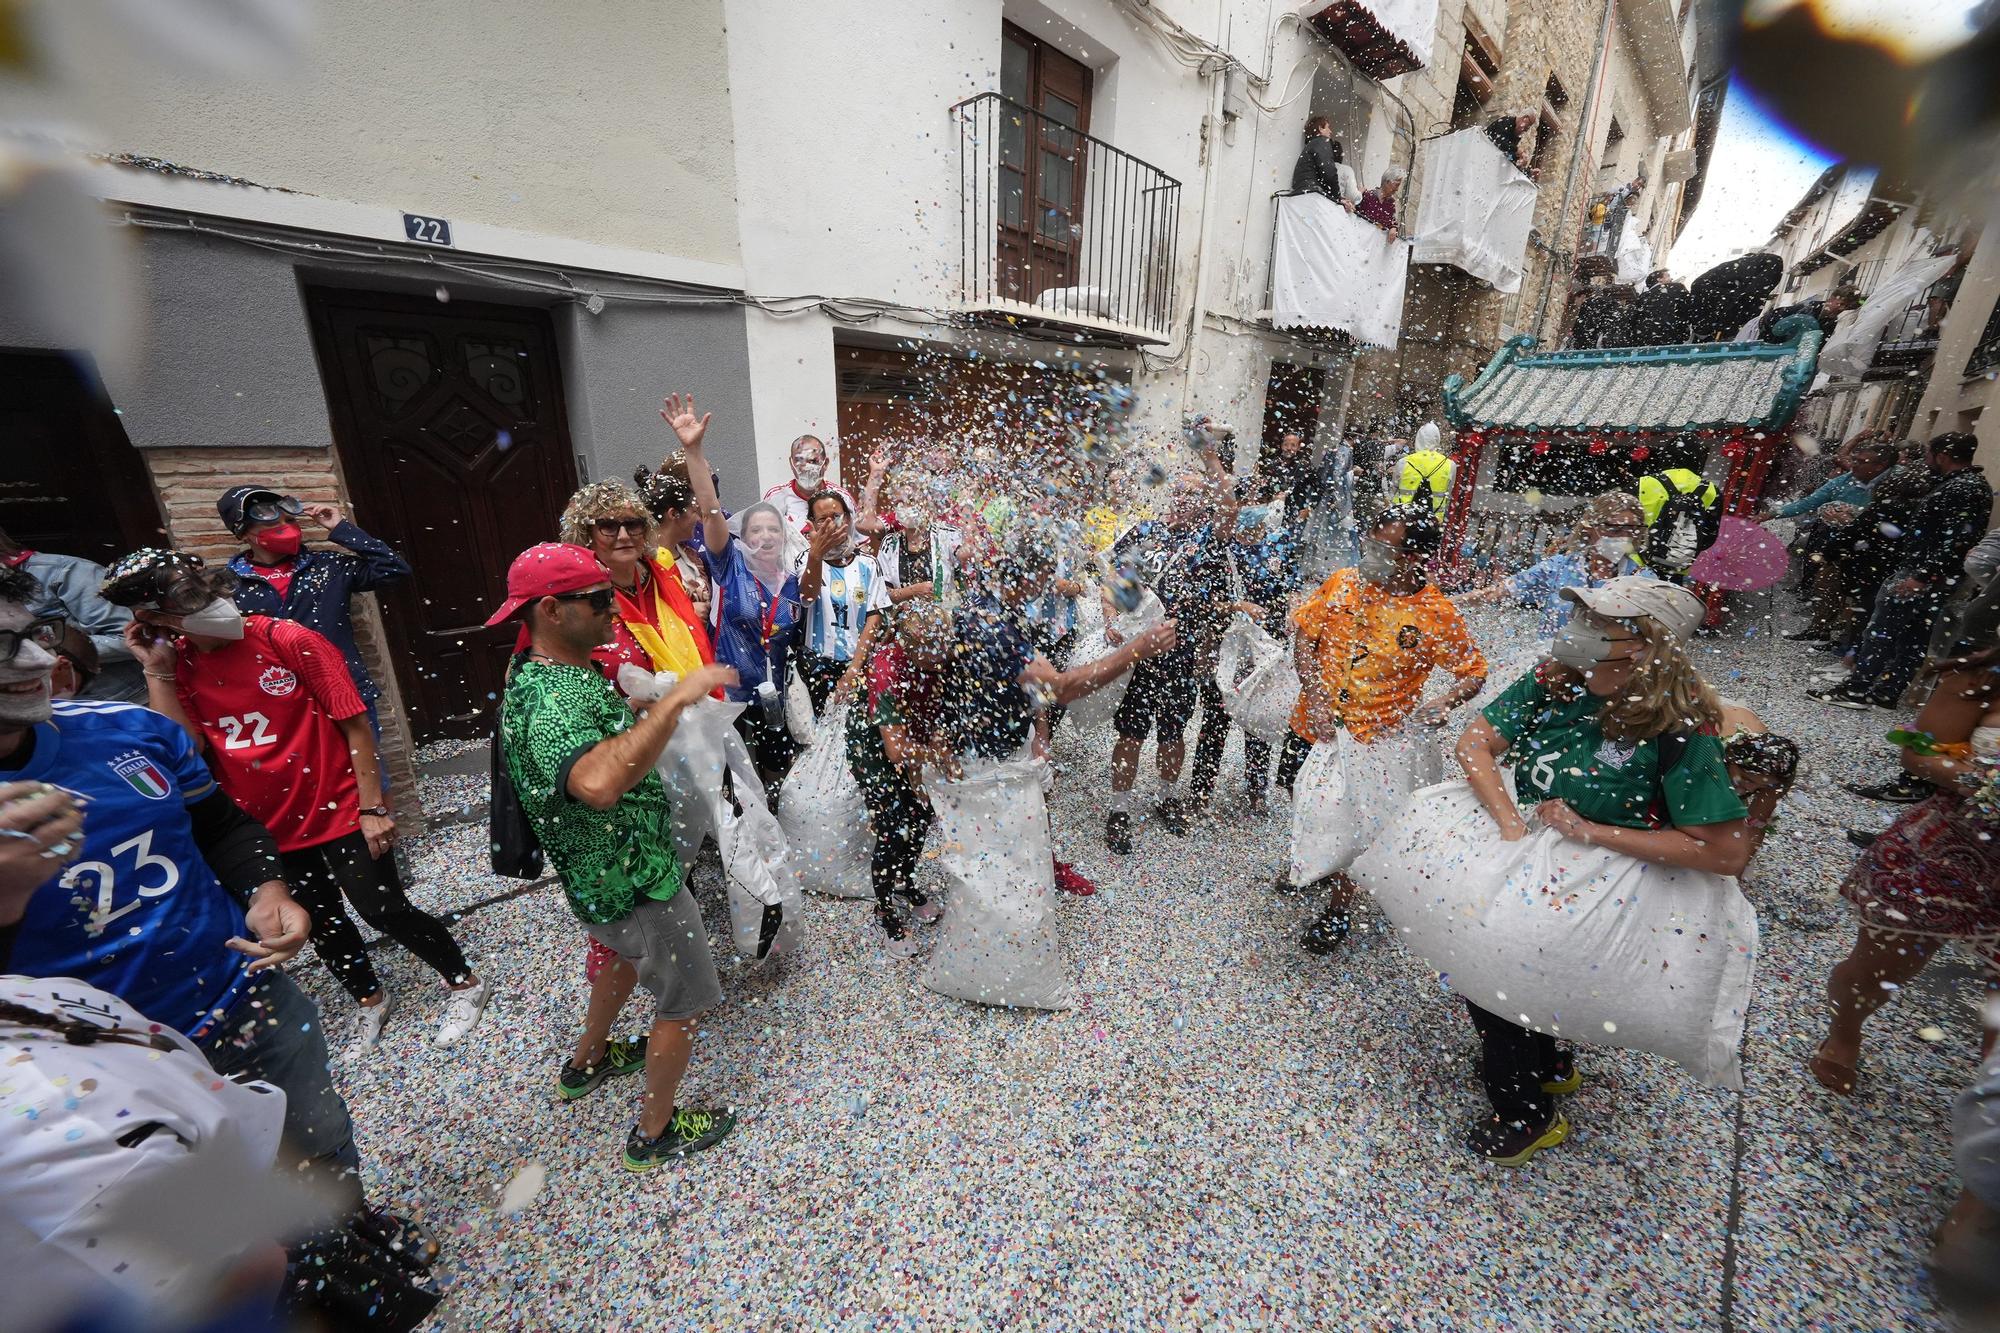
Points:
(323, 876)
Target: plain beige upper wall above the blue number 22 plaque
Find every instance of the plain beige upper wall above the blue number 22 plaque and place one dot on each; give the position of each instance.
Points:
(603, 121)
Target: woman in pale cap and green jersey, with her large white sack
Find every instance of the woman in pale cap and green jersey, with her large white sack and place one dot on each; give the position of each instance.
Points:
(1615, 758)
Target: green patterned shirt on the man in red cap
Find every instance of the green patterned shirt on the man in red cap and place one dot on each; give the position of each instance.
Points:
(607, 860)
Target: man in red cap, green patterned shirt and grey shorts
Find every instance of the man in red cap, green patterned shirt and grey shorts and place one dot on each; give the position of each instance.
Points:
(585, 774)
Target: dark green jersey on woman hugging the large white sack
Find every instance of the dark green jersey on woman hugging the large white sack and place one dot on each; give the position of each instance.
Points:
(1559, 754)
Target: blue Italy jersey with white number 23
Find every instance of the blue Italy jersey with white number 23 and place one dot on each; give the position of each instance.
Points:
(139, 914)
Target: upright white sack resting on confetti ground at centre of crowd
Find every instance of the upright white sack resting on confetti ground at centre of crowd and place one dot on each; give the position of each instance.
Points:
(999, 942)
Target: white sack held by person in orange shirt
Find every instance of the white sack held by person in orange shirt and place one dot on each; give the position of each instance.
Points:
(1347, 794)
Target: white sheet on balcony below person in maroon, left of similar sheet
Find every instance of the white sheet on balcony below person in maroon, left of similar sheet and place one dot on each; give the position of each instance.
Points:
(1333, 271)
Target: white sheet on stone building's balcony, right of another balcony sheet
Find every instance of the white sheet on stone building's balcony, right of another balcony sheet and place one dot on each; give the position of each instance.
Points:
(1475, 211)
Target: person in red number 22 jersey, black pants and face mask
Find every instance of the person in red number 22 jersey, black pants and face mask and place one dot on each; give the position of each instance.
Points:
(285, 730)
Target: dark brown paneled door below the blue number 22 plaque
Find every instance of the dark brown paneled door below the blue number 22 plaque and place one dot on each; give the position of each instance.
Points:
(457, 451)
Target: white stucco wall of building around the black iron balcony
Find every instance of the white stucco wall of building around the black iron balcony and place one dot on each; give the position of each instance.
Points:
(849, 177)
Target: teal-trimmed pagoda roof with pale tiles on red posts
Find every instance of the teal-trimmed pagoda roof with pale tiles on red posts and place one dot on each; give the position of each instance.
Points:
(1631, 389)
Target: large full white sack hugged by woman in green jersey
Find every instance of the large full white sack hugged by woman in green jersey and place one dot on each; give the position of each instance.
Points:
(1571, 940)
